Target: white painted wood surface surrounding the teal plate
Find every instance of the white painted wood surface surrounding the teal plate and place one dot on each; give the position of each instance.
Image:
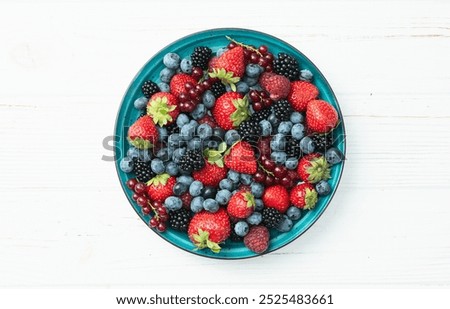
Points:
(64, 220)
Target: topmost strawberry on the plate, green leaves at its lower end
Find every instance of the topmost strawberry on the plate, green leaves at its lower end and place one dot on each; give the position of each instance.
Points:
(229, 67)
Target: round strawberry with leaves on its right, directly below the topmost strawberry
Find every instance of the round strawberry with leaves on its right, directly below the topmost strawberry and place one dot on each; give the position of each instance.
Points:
(230, 110)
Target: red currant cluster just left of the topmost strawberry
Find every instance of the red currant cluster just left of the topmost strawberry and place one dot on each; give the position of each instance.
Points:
(188, 100)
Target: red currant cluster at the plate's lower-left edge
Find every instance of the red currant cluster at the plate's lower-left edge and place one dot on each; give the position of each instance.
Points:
(160, 215)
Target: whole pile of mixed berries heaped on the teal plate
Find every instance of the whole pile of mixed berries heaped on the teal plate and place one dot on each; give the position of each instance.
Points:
(230, 144)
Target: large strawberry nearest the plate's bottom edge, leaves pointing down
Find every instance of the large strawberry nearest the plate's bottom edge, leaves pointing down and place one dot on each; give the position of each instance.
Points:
(207, 230)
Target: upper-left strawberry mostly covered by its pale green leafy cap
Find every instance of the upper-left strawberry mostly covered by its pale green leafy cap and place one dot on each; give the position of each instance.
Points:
(163, 108)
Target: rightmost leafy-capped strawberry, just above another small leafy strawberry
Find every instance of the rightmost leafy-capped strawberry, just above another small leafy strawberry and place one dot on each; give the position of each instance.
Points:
(313, 168)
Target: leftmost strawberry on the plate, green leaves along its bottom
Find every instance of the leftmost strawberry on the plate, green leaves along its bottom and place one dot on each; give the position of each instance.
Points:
(143, 133)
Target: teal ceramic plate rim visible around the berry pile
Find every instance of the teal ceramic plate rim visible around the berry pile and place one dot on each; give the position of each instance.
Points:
(216, 39)
